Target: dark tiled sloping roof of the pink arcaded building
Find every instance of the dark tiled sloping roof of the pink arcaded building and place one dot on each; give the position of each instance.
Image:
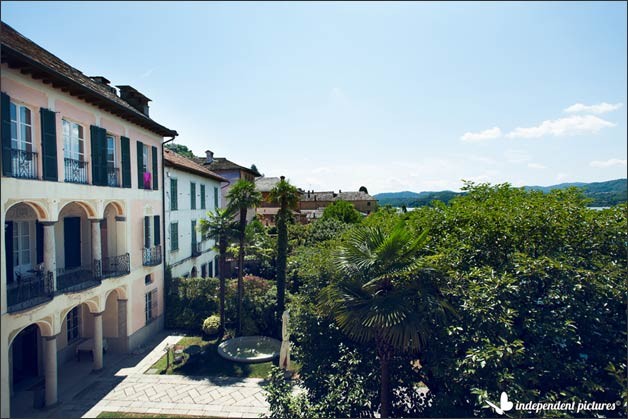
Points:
(22, 53)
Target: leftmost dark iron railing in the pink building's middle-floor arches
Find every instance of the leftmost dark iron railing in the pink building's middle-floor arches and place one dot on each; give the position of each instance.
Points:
(30, 291)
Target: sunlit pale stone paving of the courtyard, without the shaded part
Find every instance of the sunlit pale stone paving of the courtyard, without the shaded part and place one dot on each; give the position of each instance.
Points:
(175, 394)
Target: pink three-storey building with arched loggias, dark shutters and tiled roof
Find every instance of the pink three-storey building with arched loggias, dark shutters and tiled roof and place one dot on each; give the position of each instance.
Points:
(82, 213)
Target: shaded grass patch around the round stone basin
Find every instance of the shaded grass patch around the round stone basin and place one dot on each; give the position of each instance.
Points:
(209, 362)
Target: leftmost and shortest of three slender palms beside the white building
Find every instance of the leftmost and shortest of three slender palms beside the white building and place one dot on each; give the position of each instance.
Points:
(220, 227)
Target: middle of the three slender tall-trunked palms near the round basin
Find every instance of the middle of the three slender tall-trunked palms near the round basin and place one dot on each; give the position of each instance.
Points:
(242, 196)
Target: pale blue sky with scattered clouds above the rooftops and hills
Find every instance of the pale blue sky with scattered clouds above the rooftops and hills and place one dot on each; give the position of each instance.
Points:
(392, 96)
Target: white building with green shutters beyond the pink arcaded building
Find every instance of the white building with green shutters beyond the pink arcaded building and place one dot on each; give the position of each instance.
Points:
(191, 191)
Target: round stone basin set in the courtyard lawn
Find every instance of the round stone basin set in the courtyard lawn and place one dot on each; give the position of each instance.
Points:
(250, 349)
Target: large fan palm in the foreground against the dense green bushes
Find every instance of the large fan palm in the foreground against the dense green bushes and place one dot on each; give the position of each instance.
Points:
(384, 296)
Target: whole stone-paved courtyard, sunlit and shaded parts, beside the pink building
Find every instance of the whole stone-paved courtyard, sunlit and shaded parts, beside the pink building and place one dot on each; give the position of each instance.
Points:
(123, 387)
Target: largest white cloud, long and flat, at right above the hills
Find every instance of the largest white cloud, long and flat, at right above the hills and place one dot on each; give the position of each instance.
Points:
(571, 125)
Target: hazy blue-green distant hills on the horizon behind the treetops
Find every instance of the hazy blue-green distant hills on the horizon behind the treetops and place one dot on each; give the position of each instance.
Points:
(603, 194)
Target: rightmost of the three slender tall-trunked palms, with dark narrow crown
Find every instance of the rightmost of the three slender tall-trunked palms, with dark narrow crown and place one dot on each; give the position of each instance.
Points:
(287, 197)
